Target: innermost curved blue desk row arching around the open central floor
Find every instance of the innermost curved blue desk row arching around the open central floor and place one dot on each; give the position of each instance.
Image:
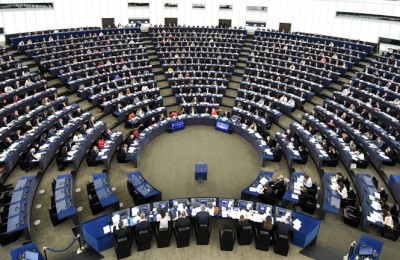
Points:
(150, 133)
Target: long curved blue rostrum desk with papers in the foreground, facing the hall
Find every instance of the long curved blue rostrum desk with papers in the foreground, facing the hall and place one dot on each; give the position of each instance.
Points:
(96, 232)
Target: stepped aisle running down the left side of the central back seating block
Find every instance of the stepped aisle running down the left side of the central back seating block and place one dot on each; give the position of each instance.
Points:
(169, 99)
